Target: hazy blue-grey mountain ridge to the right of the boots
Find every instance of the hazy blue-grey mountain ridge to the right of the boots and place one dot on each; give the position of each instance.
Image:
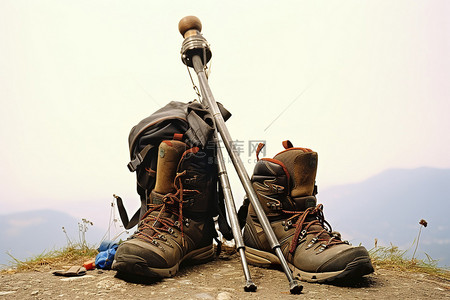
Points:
(388, 206)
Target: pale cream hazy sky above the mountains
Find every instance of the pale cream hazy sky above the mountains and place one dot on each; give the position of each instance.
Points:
(364, 83)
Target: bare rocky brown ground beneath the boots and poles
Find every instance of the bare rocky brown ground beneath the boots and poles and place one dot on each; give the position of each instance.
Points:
(221, 279)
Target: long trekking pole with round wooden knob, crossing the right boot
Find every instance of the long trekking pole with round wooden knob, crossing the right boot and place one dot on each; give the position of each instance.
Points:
(196, 54)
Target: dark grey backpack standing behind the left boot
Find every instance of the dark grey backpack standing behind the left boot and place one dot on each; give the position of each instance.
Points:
(189, 122)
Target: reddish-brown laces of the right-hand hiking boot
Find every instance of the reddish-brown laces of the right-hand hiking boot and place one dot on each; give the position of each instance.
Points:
(312, 221)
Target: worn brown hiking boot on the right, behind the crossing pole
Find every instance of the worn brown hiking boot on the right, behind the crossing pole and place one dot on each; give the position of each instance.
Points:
(286, 189)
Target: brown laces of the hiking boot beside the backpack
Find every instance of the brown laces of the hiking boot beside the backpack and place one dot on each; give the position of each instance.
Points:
(154, 226)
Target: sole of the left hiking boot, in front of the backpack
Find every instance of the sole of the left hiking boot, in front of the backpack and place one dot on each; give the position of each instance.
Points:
(135, 265)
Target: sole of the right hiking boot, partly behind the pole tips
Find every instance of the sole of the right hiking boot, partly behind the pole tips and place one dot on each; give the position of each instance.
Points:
(359, 267)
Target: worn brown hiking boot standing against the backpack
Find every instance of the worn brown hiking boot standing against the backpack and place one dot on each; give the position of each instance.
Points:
(178, 225)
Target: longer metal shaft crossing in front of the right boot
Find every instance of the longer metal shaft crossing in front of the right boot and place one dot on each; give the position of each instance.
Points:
(240, 169)
